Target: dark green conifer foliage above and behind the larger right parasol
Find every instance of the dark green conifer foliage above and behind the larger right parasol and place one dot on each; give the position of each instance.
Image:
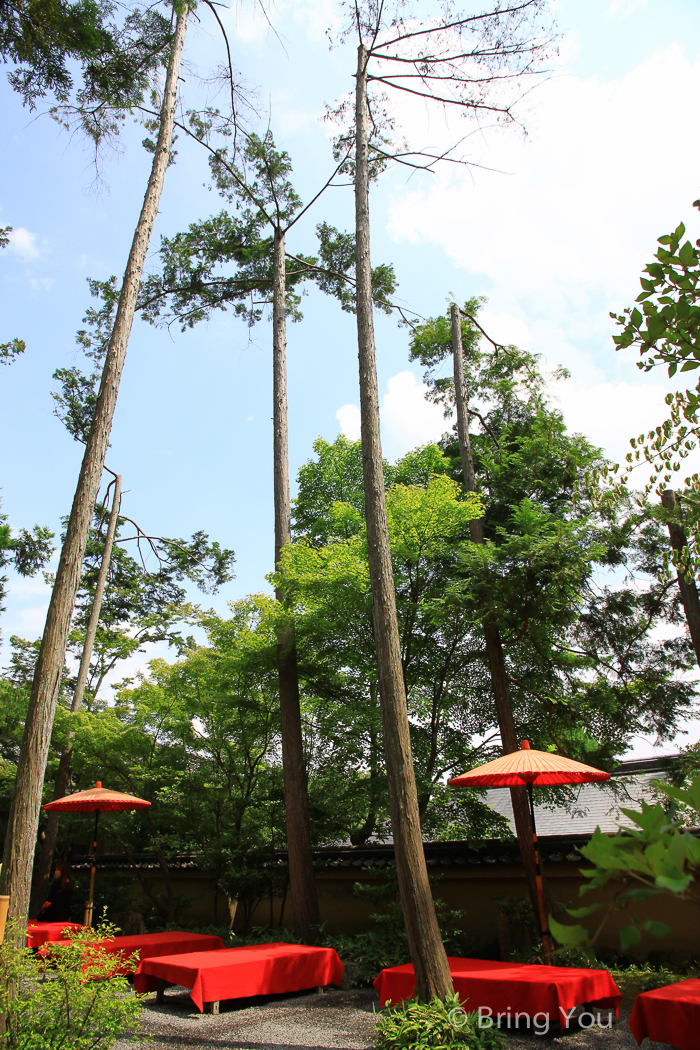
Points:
(584, 665)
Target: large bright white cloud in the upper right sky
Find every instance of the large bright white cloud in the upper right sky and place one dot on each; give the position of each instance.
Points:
(565, 237)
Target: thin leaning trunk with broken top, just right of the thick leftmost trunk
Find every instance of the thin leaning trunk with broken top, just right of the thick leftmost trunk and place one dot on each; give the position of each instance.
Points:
(44, 874)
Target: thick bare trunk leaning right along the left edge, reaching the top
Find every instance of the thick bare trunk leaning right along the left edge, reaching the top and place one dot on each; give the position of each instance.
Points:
(24, 822)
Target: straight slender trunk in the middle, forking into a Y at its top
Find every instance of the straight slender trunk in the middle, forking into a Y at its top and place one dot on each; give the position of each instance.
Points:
(303, 884)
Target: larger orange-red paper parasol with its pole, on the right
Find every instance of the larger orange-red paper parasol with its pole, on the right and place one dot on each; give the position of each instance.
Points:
(526, 768)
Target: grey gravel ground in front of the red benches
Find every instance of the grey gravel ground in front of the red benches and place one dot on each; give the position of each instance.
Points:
(332, 1021)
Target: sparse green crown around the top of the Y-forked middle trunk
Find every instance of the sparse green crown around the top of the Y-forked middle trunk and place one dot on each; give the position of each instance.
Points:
(257, 186)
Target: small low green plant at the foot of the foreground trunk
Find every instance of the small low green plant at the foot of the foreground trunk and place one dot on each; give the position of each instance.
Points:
(438, 1025)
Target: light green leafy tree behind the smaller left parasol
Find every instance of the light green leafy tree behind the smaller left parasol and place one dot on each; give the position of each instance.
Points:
(200, 740)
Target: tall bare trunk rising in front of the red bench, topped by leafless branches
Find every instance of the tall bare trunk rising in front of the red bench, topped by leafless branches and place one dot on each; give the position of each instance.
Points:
(428, 953)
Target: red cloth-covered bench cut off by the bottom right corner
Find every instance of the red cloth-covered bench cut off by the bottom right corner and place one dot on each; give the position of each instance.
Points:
(670, 1015)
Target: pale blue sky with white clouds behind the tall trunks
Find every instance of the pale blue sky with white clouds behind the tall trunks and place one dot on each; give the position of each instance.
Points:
(556, 238)
